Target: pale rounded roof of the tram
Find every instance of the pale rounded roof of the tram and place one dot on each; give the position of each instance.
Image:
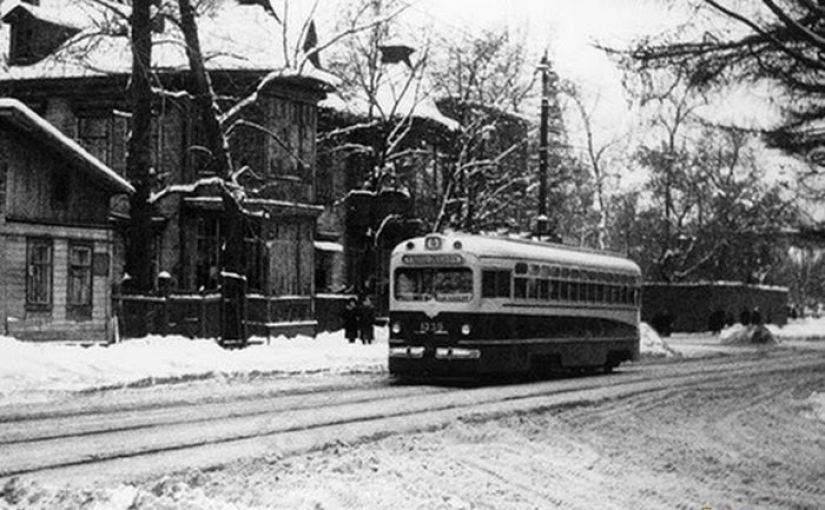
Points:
(549, 253)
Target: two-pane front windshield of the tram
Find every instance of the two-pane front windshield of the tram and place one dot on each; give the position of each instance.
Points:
(441, 284)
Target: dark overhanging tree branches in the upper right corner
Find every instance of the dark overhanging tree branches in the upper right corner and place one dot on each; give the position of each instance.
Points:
(780, 47)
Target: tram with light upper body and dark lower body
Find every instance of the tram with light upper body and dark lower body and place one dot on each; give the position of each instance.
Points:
(467, 305)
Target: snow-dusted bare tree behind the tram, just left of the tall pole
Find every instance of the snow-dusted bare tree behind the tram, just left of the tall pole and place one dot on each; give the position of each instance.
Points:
(484, 82)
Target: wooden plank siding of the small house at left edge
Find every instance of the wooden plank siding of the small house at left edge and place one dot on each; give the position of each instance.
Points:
(43, 197)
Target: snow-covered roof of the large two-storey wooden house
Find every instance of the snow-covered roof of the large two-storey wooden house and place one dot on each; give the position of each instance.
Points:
(234, 37)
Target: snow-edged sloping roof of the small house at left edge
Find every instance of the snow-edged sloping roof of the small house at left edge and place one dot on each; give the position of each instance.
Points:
(18, 114)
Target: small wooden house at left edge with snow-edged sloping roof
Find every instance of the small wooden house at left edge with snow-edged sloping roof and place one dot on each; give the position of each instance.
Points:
(56, 238)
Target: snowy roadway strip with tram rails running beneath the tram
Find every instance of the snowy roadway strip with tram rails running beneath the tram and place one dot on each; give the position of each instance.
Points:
(110, 441)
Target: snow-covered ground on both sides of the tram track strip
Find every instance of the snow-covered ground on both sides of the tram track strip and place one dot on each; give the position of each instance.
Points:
(649, 452)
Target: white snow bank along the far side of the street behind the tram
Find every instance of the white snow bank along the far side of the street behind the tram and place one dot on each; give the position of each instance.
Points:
(31, 372)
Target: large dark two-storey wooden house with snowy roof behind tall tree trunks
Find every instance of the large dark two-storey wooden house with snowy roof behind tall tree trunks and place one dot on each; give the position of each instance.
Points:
(76, 76)
